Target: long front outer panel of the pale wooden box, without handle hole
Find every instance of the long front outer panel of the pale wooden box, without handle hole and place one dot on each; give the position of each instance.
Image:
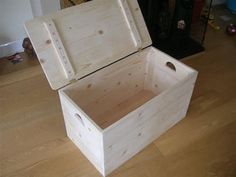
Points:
(139, 128)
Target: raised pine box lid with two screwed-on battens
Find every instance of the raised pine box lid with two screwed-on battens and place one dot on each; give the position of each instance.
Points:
(77, 41)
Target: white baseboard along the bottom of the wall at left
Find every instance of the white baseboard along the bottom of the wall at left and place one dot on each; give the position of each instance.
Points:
(11, 48)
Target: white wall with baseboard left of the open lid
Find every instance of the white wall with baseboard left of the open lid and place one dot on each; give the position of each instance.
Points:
(13, 15)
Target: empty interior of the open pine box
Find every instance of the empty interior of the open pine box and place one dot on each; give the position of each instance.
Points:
(112, 92)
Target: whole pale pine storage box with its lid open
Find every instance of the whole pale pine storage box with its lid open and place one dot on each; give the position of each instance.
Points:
(118, 93)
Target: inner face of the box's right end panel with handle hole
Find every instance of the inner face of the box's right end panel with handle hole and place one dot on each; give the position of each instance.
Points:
(164, 71)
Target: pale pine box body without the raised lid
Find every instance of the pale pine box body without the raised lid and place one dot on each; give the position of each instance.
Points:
(130, 102)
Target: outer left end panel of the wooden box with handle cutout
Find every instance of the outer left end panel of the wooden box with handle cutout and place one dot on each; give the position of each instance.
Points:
(83, 133)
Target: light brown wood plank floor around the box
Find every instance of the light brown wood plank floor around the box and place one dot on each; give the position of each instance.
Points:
(33, 140)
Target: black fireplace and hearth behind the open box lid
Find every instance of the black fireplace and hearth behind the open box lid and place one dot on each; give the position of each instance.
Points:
(171, 26)
